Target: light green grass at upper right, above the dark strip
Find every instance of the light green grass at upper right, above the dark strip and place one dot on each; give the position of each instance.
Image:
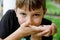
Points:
(51, 8)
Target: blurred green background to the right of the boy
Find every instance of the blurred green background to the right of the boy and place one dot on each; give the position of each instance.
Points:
(53, 14)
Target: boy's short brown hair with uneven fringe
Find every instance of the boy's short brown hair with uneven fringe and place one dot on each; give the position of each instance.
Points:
(34, 4)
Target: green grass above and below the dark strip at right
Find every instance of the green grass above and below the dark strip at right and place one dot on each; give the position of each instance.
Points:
(52, 9)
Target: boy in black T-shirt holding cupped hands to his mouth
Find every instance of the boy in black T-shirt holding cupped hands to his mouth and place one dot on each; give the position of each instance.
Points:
(28, 19)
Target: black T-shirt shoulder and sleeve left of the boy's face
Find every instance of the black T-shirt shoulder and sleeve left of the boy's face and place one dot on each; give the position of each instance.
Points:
(8, 23)
